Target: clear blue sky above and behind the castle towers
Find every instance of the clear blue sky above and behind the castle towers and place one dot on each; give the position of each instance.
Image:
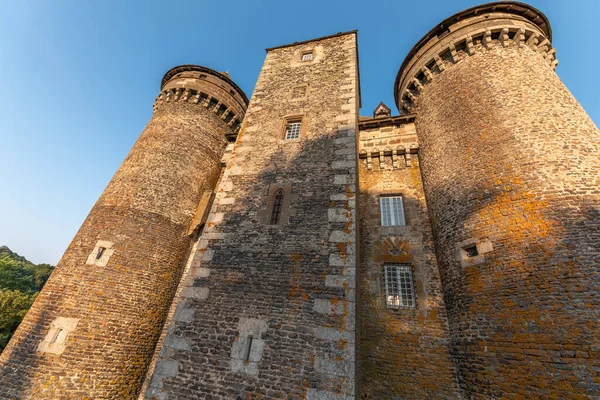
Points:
(78, 79)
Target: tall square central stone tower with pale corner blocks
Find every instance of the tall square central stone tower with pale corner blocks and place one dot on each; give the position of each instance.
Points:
(267, 311)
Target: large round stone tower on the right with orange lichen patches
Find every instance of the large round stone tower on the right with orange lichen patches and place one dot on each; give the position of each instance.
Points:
(511, 170)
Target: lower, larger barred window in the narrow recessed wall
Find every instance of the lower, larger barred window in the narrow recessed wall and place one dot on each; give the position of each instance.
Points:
(399, 291)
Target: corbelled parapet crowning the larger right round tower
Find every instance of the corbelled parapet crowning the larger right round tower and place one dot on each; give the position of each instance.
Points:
(489, 27)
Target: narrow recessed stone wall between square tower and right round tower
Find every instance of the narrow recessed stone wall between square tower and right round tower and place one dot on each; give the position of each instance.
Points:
(402, 353)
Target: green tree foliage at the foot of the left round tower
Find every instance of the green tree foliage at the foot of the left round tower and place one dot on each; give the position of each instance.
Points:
(20, 281)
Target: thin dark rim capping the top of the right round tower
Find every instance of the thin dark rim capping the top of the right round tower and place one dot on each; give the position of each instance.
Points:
(518, 8)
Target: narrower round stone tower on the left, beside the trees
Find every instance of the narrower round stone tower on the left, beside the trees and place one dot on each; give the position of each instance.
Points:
(93, 328)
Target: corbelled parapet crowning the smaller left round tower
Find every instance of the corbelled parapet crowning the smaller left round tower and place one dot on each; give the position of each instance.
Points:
(210, 89)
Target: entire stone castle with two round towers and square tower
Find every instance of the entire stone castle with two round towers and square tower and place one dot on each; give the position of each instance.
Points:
(285, 247)
